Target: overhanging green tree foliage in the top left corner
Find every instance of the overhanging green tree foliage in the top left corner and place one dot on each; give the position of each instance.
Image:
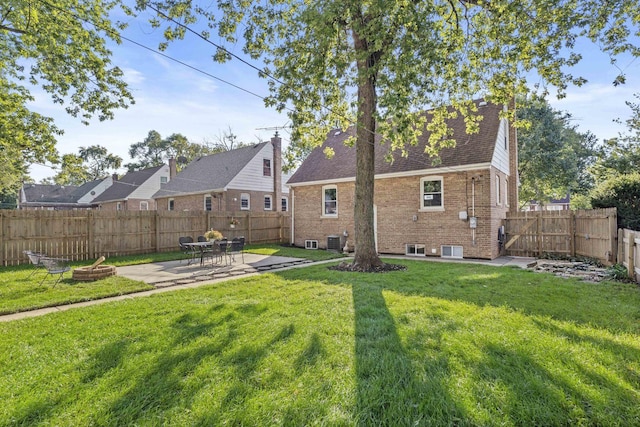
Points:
(59, 45)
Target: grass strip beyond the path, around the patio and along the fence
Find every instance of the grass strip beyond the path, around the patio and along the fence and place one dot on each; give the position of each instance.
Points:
(21, 291)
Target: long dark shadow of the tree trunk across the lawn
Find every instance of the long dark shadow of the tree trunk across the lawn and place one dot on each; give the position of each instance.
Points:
(389, 392)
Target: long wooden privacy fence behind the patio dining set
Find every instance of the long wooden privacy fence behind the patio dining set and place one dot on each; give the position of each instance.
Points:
(86, 235)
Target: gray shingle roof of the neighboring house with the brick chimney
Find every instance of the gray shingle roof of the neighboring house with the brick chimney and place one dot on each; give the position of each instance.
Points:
(210, 172)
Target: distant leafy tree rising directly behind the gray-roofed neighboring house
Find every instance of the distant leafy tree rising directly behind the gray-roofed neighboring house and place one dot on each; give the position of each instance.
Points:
(155, 150)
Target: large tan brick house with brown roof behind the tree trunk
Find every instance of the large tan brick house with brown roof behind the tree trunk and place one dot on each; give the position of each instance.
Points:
(452, 209)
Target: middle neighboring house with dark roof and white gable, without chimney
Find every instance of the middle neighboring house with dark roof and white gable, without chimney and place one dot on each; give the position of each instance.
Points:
(135, 190)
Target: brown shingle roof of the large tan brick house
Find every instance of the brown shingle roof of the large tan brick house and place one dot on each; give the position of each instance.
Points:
(469, 149)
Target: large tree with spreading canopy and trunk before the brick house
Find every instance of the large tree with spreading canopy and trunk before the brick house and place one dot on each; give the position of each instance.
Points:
(398, 56)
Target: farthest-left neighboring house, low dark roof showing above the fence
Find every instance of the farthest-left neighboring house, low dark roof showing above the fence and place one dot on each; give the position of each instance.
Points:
(61, 197)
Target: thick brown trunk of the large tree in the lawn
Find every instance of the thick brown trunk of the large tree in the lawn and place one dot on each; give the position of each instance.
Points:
(366, 256)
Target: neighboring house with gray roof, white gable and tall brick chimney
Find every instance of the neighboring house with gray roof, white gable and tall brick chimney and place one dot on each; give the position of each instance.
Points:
(245, 179)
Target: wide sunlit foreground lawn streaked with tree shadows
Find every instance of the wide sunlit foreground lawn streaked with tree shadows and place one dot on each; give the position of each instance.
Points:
(437, 344)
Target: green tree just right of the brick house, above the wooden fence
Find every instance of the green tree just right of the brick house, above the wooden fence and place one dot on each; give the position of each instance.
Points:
(553, 157)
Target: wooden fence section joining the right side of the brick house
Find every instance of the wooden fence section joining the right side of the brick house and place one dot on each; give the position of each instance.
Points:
(589, 233)
